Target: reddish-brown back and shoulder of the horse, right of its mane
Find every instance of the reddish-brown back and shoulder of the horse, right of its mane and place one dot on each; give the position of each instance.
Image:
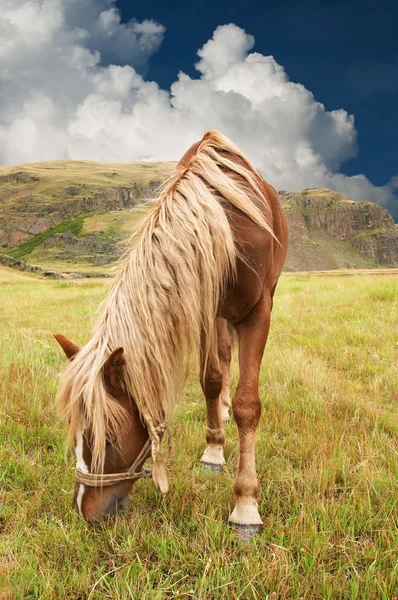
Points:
(260, 256)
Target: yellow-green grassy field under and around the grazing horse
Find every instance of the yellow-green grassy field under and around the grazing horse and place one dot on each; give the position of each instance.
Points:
(327, 456)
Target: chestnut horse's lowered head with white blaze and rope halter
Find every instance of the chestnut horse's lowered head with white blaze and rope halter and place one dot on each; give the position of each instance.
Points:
(96, 498)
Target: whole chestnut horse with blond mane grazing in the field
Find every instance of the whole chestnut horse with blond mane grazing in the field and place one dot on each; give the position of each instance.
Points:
(209, 252)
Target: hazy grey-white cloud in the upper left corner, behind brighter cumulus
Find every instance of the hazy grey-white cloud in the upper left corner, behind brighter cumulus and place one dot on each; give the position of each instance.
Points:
(53, 55)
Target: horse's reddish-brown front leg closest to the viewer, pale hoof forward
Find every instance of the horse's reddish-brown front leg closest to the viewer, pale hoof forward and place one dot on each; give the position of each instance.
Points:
(252, 335)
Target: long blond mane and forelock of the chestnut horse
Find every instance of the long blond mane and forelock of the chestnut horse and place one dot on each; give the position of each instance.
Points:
(163, 303)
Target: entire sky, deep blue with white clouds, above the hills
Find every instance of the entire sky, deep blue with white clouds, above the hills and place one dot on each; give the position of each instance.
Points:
(308, 89)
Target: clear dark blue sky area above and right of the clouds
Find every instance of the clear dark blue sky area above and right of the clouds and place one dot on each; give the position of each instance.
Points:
(345, 52)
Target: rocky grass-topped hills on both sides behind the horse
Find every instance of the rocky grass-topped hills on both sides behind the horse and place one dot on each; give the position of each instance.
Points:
(77, 215)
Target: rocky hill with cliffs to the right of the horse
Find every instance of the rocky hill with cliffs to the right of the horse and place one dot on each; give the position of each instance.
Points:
(329, 230)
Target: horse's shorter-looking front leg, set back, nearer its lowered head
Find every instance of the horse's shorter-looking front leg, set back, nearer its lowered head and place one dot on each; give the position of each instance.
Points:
(211, 379)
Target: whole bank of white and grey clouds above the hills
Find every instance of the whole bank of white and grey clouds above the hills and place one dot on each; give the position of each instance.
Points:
(73, 86)
